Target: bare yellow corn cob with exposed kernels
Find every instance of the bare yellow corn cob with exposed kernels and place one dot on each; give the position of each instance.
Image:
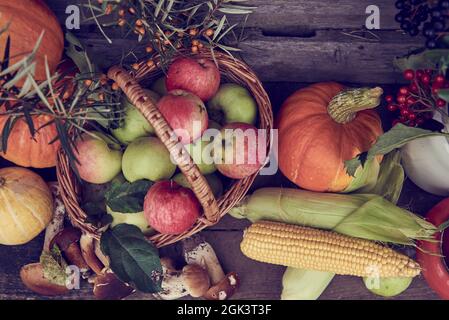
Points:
(307, 248)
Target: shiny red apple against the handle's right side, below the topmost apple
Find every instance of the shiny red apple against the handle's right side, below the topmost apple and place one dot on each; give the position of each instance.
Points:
(185, 113)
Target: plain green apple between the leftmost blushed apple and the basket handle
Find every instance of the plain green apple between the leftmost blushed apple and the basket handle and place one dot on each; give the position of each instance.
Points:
(147, 158)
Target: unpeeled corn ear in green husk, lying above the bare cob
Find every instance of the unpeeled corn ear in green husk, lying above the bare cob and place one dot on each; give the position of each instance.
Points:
(366, 216)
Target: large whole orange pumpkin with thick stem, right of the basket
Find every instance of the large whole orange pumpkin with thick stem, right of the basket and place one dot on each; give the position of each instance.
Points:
(322, 126)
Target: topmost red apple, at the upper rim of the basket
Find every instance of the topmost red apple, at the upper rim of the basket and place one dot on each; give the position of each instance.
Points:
(199, 76)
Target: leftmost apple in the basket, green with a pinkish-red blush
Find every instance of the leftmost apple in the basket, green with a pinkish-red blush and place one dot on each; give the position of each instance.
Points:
(99, 158)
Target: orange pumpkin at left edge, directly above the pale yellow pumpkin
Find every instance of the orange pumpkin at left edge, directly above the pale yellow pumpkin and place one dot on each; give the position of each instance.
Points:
(27, 151)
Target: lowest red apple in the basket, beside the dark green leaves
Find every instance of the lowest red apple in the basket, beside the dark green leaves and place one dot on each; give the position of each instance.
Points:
(170, 208)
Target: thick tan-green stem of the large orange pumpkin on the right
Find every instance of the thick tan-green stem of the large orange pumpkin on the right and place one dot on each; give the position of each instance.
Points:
(344, 106)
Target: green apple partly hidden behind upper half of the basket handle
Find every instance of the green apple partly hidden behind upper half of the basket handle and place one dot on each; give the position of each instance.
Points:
(134, 125)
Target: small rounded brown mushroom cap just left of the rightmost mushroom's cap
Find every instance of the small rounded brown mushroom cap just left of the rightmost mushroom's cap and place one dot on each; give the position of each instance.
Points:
(196, 280)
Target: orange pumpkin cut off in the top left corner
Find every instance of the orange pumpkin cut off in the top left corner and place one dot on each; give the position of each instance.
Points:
(27, 19)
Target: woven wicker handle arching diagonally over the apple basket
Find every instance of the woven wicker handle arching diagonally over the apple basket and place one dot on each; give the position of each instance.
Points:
(144, 104)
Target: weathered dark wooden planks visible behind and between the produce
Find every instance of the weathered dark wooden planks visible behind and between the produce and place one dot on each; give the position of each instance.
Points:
(289, 43)
